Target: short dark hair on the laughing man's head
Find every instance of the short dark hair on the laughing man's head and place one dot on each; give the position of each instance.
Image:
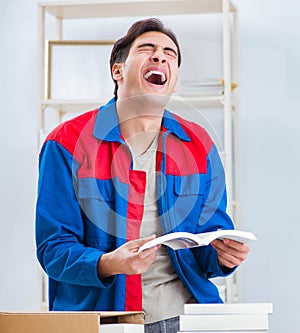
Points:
(122, 46)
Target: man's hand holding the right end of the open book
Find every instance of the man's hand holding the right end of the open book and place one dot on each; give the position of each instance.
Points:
(230, 252)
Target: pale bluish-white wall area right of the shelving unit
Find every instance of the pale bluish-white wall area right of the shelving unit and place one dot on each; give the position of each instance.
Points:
(270, 49)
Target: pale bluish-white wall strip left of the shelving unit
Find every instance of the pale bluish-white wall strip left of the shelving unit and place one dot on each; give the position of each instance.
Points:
(19, 286)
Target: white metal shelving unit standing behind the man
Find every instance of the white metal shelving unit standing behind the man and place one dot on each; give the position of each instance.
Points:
(229, 102)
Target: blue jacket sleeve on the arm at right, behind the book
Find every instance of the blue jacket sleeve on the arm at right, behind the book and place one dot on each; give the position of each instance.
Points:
(214, 215)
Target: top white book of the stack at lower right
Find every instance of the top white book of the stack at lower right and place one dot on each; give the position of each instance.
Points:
(228, 308)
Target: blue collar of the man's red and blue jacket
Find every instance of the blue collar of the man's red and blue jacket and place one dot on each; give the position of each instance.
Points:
(107, 125)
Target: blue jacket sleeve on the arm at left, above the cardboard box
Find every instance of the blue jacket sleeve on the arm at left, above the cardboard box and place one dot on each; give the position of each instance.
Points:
(59, 223)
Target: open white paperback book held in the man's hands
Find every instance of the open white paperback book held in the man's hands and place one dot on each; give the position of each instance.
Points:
(183, 240)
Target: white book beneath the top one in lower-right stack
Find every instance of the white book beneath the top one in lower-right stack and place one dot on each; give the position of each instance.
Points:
(224, 322)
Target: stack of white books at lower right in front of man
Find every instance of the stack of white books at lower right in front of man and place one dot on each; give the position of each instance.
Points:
(226, 318)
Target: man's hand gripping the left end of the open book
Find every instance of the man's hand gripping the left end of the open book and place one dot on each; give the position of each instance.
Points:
(127, 260)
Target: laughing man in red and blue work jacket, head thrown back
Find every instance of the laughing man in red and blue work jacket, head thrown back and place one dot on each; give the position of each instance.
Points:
(111, 179)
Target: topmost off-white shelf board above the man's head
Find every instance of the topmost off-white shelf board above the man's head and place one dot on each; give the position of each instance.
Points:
(117, 8)
